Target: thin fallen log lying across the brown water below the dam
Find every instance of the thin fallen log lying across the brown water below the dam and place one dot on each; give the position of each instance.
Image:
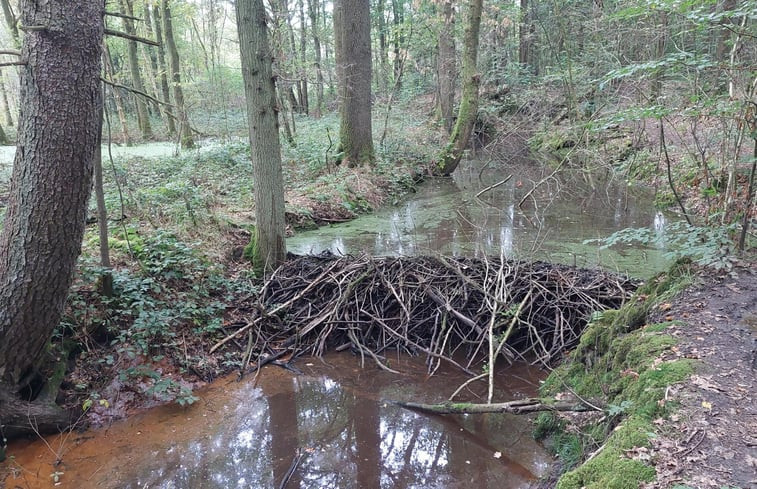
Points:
(521, 406)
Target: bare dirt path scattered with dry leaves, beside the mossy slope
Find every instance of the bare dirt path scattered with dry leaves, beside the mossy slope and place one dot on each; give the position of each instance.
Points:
(711, 441)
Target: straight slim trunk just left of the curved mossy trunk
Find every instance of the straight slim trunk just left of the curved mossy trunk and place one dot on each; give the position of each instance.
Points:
(447, 66)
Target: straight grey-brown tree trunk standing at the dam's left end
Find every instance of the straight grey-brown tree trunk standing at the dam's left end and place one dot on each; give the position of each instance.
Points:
(268, 246)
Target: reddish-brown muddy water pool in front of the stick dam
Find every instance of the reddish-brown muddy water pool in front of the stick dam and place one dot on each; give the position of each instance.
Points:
(331, 427)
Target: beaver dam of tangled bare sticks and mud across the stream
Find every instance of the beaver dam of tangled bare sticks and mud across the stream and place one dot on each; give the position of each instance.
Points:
(440, 307)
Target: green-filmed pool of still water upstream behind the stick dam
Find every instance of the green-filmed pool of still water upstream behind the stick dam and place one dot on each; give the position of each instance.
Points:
(445, 216)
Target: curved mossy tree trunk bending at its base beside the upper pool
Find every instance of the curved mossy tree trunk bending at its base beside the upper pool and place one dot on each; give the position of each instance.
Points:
(468, 111)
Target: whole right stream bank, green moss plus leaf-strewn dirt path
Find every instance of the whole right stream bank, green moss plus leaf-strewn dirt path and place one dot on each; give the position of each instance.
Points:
(676, 368)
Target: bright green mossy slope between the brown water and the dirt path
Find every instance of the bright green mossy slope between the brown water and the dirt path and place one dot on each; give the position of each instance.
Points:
(618, 364)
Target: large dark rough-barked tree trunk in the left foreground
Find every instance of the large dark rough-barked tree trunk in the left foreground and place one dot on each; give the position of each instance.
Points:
(52, 176)
